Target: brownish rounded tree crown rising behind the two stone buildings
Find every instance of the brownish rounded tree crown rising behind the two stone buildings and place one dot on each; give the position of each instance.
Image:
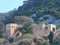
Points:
(24, 20)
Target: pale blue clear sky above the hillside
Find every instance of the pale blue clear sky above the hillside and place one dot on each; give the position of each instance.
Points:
(8, 5)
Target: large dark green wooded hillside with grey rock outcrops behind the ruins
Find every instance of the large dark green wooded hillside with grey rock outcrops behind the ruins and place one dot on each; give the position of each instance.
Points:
(39, 10)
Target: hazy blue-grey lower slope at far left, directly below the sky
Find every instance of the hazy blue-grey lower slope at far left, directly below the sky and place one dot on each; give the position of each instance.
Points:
(7, 17)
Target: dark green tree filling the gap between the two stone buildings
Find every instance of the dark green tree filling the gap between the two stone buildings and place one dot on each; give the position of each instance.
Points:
(26, 29)
